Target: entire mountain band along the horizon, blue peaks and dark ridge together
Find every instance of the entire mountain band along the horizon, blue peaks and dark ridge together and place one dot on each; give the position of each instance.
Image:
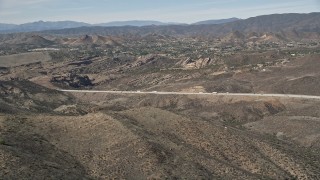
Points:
(295, 24)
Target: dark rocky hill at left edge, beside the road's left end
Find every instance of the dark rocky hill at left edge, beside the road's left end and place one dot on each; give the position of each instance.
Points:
(21, 96)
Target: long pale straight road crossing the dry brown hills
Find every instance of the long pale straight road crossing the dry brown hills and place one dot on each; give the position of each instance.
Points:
(186, 93)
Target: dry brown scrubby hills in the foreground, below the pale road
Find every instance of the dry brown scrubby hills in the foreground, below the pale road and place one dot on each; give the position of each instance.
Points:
(159, 137)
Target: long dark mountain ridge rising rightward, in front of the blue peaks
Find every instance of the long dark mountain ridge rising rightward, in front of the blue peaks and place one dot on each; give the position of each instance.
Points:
(297, 26)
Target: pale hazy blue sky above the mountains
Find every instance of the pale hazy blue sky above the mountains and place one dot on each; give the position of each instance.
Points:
(185, 11)
